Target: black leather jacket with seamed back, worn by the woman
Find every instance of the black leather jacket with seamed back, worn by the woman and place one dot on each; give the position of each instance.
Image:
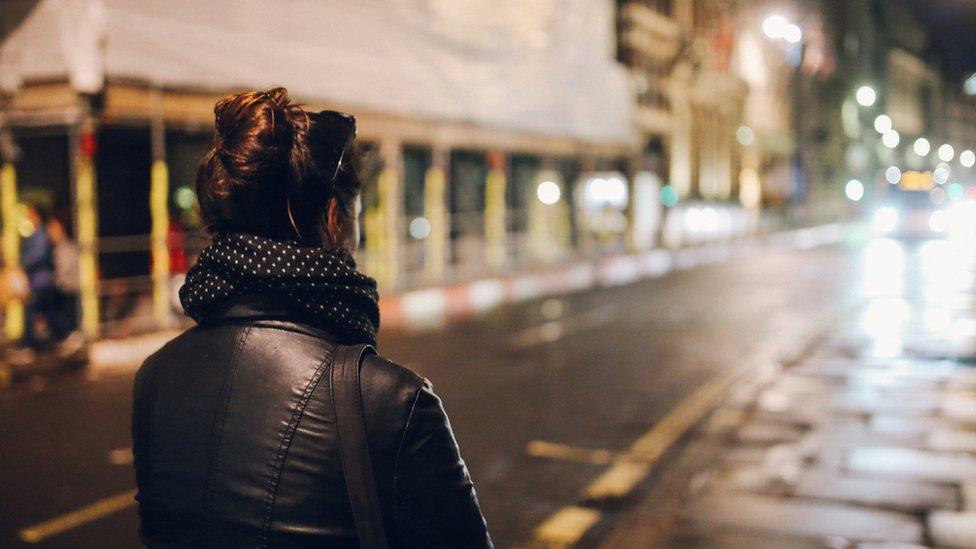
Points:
(235, 443)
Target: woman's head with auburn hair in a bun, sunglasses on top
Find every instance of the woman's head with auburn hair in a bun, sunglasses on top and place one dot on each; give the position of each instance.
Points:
(277, 171)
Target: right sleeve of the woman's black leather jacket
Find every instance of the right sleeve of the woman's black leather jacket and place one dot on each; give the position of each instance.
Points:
(436, 502)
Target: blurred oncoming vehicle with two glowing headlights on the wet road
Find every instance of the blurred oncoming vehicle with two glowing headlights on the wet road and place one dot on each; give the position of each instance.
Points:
(910, 214)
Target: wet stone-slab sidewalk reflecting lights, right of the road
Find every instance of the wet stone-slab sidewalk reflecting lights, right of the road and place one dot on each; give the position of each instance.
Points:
(869, 440)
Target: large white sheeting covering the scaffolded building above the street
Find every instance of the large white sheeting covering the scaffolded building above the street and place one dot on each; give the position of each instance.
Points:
(544, 66)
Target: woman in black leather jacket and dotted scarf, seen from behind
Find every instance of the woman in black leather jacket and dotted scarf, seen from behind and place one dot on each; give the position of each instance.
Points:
(235, 440)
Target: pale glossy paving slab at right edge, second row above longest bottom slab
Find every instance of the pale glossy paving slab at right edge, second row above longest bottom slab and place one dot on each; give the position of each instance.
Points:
(907, 463)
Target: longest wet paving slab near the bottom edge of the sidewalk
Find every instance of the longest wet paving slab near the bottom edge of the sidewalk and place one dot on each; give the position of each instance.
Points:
(805, 518)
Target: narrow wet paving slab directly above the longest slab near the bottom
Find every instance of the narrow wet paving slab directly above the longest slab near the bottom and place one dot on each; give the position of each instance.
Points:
(873, 492)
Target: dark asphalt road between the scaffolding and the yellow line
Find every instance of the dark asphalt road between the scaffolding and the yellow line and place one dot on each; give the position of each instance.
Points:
(593, 370)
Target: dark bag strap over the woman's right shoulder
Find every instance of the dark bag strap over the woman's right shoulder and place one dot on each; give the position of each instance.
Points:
(347, 404)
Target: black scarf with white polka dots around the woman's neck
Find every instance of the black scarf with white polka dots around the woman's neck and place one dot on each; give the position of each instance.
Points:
(320, 285)
